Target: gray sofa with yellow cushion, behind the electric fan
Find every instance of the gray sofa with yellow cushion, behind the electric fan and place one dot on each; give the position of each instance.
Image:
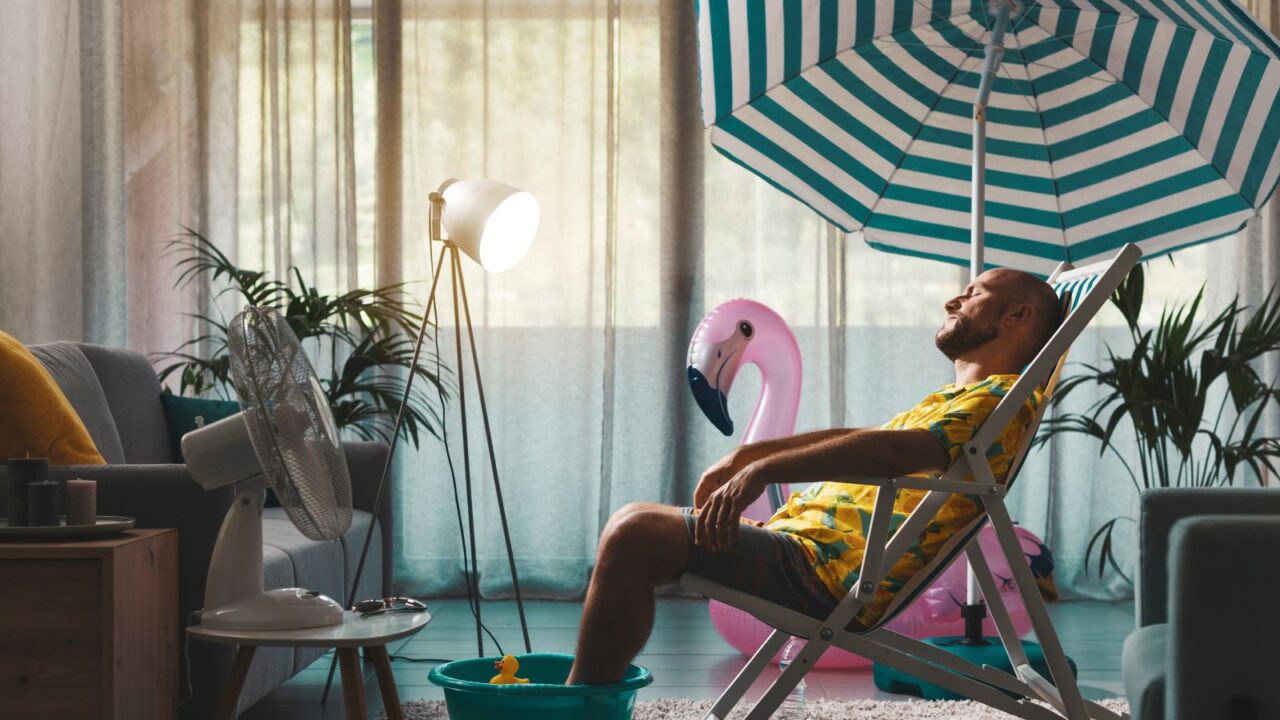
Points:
(117, 395)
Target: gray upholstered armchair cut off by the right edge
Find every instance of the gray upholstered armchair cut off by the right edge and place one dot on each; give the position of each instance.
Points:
(1209, 607)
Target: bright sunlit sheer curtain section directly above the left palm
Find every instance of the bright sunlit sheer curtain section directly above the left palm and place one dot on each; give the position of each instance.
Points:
(295, 188)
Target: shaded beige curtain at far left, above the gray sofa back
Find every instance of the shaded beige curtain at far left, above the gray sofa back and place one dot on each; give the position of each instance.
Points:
(95, 171)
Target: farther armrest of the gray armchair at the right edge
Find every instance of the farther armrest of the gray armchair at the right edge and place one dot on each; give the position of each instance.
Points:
(1162, 509)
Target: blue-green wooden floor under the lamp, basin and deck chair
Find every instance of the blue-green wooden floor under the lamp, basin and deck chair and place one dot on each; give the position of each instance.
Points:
(685, 654)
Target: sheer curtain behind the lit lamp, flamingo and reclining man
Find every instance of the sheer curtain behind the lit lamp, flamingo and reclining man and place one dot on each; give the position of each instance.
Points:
(591, 408)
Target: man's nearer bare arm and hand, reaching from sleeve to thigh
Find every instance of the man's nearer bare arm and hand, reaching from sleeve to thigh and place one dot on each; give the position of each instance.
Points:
(867, 453)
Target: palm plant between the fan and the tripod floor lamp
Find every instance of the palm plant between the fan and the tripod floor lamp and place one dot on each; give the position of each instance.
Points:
(362, 343)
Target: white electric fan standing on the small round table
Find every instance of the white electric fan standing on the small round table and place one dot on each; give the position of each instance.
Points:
(285, 439)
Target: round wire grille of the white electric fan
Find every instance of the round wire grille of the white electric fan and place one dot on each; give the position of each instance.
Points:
(290, 423)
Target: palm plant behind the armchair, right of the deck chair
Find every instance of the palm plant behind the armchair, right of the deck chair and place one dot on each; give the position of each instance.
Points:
(1191, 394)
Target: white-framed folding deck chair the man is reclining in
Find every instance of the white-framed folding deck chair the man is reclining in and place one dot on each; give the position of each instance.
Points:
(1084, 293)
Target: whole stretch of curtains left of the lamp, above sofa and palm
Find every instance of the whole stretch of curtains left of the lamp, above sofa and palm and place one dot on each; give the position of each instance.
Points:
(239, 119)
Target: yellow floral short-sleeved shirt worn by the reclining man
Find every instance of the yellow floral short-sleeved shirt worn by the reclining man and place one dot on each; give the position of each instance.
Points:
(831, 520)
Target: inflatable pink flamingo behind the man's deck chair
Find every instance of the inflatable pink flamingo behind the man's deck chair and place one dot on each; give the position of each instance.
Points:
(744, 332)
